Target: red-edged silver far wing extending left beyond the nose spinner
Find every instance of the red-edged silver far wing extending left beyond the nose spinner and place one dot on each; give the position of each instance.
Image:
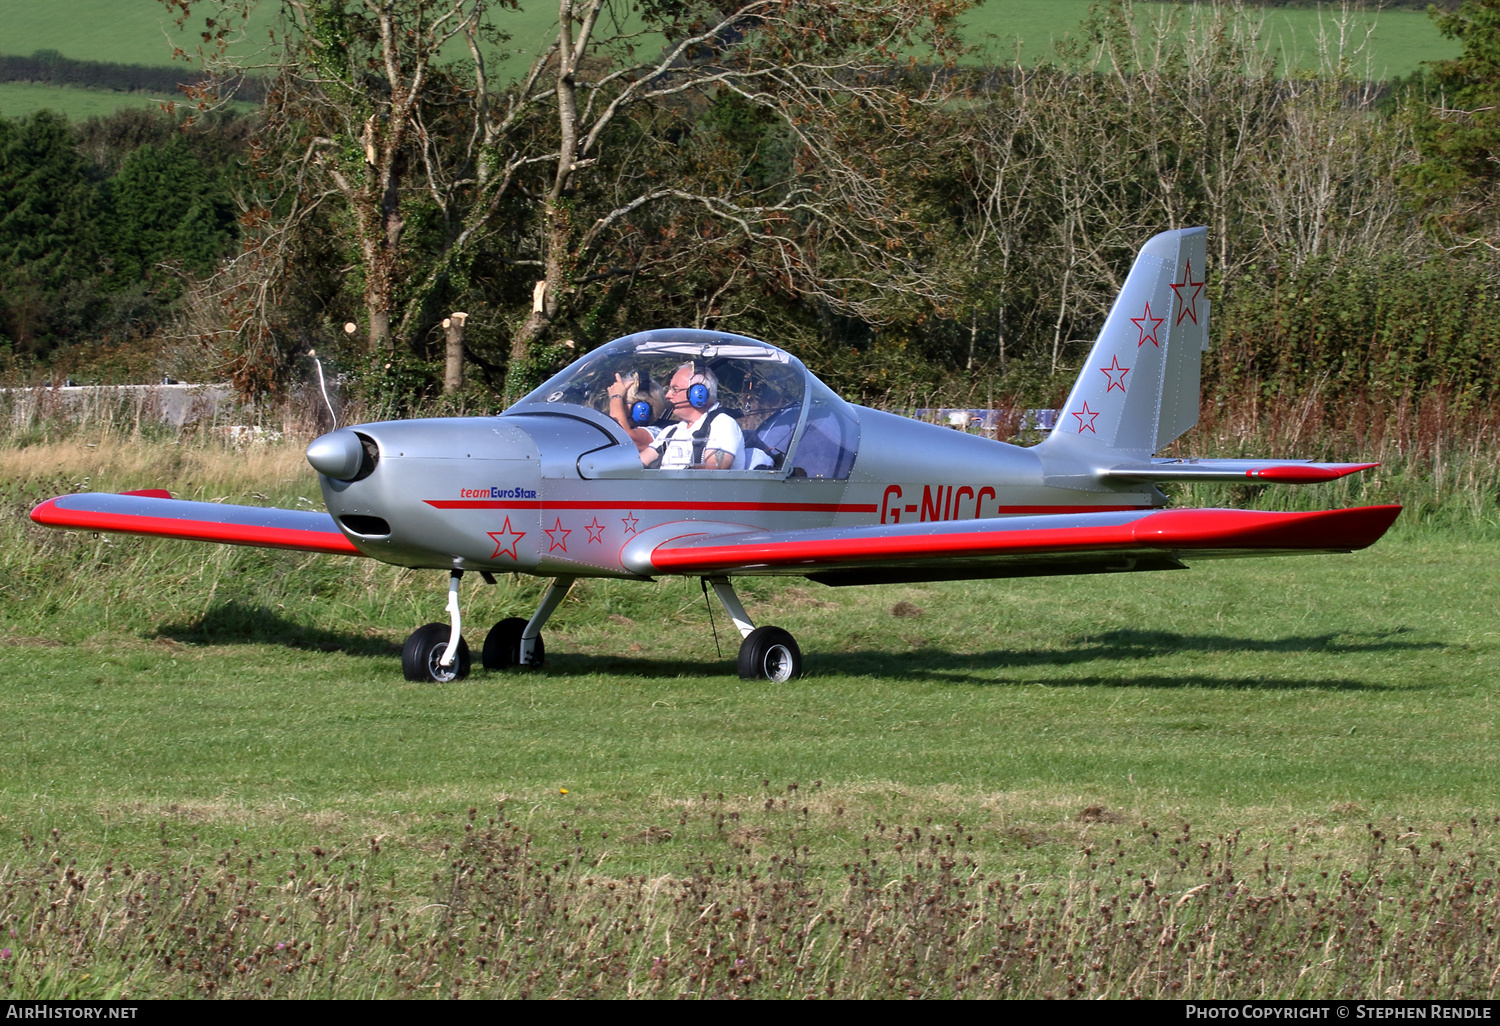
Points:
(158, 515)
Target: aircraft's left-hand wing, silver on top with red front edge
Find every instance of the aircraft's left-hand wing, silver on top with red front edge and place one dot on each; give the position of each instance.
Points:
(233, 530)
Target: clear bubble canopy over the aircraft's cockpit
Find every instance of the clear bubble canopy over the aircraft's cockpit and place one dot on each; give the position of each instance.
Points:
(796, 421)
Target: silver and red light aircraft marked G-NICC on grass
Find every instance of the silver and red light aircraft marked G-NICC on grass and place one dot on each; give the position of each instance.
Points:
(713, 455)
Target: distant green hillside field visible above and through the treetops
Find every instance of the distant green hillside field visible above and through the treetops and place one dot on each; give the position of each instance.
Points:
(139, 32)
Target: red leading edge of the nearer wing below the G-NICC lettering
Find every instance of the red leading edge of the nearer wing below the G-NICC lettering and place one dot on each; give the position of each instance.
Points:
(1168, 530)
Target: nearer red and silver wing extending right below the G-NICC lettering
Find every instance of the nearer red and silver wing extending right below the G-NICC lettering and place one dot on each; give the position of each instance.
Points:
(1021, 545)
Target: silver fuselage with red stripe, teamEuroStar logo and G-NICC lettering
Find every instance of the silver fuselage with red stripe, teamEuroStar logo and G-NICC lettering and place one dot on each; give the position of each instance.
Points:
(566, 494)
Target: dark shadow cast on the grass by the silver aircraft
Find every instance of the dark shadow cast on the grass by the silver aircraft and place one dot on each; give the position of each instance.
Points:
(239, 625)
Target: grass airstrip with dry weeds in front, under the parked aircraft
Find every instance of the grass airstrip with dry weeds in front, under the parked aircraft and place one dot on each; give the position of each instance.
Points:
(1286, 748)
